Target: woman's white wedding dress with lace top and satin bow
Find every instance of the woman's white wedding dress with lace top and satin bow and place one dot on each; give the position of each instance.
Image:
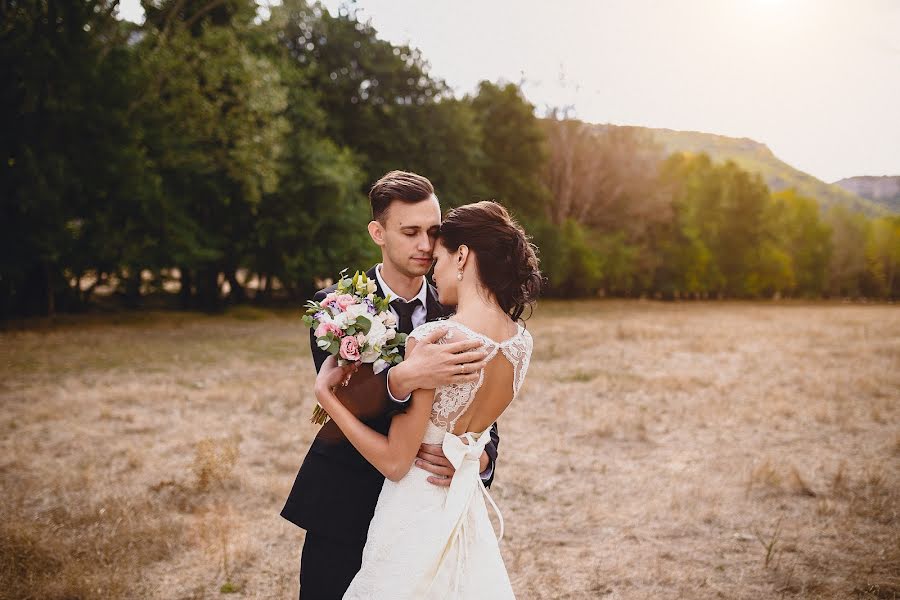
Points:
(426, 541)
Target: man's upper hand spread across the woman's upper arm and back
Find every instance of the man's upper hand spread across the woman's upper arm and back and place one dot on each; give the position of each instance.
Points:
(430, 364)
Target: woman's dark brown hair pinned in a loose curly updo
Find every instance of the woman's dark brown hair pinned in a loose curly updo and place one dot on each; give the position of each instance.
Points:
(507, 262)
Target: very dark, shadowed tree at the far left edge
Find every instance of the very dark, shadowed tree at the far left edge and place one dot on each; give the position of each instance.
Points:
(75, 182)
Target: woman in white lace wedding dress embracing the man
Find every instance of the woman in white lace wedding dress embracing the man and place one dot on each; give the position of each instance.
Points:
(426, 541)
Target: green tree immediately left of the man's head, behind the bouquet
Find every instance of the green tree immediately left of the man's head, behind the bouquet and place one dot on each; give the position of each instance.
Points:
(313, 224)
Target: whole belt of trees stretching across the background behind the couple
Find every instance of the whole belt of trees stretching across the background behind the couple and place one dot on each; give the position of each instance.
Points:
(205, 147)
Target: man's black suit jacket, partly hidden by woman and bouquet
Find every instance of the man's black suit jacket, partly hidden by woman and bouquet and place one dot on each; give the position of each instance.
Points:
(336, 489)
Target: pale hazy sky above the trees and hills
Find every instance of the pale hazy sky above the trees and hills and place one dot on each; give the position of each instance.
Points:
(818, 81)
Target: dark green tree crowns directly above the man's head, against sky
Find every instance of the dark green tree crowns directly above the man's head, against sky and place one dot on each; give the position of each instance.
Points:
(381, 102)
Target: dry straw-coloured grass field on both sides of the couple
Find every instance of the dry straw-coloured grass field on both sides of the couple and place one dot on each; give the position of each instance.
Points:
(660, 450)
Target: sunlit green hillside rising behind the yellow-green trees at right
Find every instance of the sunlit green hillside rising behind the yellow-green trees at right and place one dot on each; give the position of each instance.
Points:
(756, 157)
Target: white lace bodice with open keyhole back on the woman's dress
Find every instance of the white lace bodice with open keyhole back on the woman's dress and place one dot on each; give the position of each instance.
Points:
(452, 401)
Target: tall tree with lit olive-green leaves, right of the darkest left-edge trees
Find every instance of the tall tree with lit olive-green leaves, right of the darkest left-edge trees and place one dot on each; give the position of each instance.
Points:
(212, 116)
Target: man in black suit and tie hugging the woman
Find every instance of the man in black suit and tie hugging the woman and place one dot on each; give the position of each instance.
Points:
(335, 492)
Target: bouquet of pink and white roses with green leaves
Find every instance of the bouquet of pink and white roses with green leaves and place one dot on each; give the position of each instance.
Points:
(355, 324)
